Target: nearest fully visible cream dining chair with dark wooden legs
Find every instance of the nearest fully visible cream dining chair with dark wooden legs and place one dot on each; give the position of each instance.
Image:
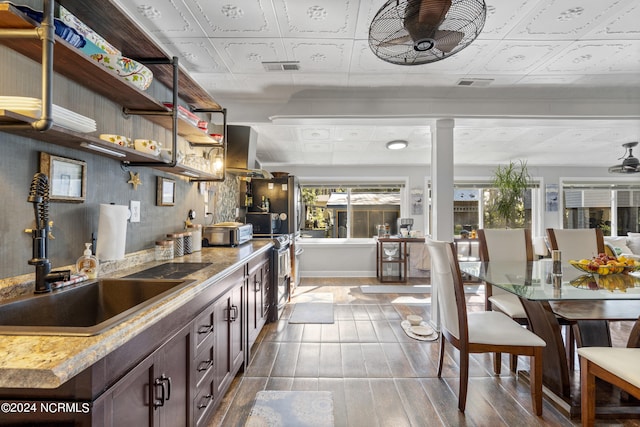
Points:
(477, 332)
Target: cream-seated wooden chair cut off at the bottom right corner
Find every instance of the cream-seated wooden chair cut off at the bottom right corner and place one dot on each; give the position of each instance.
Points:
(619, 366)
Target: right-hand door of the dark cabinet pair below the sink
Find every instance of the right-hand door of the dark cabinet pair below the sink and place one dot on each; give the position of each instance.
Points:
(172, 373)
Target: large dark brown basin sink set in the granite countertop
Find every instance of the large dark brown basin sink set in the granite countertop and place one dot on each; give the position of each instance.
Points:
(86, 309)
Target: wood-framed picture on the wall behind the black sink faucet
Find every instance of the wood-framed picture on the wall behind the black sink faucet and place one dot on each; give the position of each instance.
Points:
(67, 178)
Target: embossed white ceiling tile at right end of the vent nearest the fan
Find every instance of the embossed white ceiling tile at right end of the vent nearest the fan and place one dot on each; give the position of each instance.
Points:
(318, 56)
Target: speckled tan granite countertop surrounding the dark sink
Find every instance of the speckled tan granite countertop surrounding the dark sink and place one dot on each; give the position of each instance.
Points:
(43, 361)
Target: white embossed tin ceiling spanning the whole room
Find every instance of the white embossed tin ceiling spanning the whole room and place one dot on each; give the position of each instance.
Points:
(556, 82)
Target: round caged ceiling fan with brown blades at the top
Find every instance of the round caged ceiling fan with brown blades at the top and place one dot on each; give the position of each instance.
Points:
(413, 32)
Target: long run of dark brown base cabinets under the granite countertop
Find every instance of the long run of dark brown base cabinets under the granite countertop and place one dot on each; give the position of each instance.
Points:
(175, 372)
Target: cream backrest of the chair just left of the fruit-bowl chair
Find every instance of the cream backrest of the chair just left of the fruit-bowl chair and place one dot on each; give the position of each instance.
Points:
(505, 244)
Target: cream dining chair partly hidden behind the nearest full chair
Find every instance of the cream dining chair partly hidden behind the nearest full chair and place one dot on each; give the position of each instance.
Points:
(505, 245)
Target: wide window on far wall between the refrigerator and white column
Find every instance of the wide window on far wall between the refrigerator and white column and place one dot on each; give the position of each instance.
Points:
(349, 211)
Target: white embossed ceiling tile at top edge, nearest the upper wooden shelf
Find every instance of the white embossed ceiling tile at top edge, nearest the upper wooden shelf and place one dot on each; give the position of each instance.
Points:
(164, 18)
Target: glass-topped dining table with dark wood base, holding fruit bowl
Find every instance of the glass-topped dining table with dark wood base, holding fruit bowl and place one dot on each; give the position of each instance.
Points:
(556, 297)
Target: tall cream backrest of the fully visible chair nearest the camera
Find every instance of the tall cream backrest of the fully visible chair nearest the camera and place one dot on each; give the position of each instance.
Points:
(445, 274)
